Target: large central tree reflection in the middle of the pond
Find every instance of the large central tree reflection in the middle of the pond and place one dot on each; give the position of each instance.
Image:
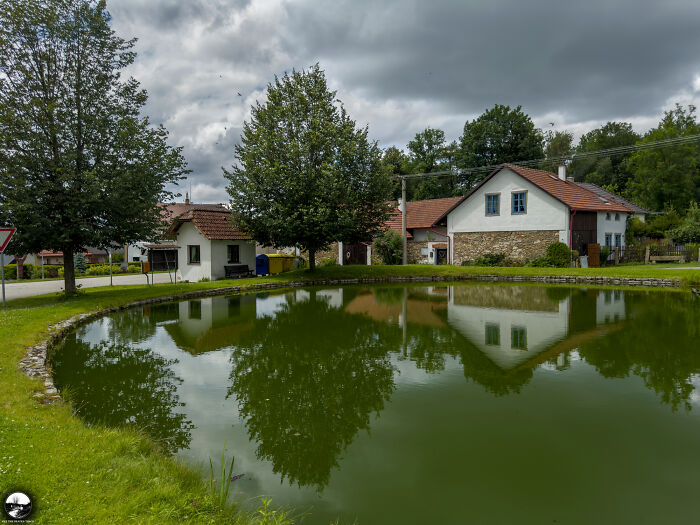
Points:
(306, 381)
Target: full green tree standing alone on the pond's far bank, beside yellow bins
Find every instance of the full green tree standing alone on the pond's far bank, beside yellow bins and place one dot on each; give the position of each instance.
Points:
(305, 174)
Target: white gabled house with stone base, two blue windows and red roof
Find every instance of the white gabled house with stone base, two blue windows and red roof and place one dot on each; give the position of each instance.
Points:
(520, 211)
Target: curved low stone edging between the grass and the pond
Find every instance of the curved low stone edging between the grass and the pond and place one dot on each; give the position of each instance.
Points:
(34, 362)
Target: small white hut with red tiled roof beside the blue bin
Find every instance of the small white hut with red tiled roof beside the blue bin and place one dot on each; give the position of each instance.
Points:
(207, 244)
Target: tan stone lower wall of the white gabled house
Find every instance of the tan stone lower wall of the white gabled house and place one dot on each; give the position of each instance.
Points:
(519, 245)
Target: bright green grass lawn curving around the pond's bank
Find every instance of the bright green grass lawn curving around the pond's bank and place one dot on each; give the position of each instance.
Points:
(87, 474)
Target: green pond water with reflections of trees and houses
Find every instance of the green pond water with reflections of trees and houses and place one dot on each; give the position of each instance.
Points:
(427, 404)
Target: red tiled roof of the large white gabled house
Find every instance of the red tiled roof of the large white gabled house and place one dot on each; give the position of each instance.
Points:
(570, 193)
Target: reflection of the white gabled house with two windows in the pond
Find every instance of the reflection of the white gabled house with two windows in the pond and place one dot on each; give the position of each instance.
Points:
(521, 326)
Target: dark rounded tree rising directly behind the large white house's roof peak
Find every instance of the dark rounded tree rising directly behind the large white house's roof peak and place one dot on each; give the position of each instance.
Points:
(498, 135)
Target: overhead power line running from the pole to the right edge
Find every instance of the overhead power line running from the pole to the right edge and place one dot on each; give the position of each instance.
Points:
(620, 150)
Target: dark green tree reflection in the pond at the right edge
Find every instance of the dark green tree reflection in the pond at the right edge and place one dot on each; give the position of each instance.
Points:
(659, 344)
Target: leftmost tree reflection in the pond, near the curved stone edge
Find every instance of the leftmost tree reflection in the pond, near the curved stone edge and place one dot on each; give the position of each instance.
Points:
(115, 384)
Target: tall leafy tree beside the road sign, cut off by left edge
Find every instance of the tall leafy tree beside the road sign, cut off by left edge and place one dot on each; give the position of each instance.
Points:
(79, 165)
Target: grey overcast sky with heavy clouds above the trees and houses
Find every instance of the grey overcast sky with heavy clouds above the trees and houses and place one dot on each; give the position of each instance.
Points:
(400, 66)
